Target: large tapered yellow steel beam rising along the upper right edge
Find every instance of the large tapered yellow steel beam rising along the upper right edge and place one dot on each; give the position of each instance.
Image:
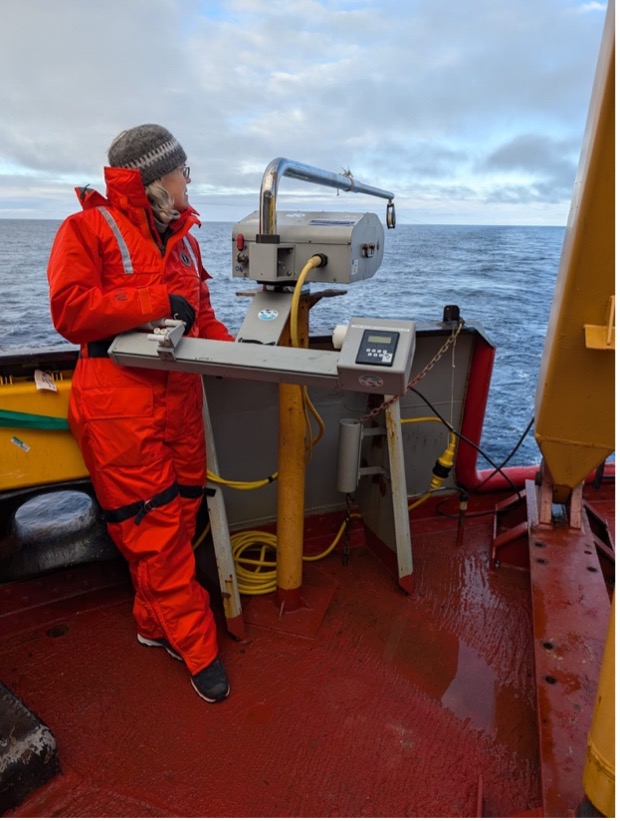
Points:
(575, 415)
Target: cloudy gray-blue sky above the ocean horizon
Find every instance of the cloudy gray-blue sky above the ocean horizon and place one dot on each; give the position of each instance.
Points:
(470, 111)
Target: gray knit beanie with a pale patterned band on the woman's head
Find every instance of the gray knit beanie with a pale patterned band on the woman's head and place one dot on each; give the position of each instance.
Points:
(150, 148)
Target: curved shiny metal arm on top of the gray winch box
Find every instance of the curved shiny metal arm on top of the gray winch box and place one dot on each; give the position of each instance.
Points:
(281, 167)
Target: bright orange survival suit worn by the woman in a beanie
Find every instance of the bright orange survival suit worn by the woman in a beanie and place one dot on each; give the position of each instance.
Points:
(140, 431)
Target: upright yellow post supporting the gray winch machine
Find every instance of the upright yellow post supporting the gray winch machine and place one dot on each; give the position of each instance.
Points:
(291, 483)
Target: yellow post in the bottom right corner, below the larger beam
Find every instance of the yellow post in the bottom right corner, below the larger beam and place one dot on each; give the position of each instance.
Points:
(599, 773)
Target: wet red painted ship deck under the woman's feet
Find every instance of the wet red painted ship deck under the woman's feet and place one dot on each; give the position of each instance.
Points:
(393, 705)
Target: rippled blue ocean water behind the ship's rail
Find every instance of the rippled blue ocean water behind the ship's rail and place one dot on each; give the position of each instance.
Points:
(502, 278)
